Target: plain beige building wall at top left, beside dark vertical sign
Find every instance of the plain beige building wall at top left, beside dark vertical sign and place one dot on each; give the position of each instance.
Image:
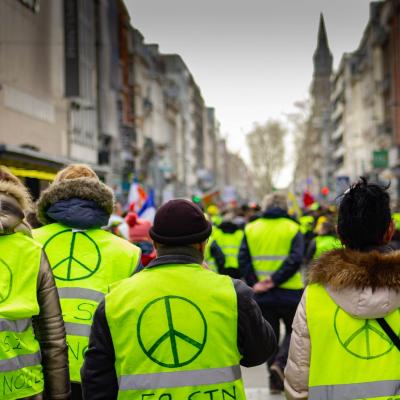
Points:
(32, 109)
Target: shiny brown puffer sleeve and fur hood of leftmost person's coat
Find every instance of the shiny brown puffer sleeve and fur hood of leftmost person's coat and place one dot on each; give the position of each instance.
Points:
(48, 325)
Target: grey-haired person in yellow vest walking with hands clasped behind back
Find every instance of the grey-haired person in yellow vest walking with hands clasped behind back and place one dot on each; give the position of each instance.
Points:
(270, 257)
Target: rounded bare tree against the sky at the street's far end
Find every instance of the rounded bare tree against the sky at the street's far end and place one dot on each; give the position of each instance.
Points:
(267, 152)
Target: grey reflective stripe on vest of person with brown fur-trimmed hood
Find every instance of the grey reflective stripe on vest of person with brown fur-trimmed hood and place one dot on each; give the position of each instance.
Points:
(356, 390)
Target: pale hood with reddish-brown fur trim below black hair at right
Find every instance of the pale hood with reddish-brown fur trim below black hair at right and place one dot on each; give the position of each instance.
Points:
(365, 284)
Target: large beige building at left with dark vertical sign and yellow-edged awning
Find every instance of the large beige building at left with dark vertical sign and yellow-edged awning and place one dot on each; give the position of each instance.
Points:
(60, 70)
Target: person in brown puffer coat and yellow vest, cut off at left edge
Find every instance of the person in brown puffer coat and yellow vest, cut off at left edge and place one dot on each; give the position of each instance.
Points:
(33, 350)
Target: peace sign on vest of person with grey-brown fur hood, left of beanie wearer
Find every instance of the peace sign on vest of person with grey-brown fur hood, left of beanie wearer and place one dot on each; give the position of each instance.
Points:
(72, 255)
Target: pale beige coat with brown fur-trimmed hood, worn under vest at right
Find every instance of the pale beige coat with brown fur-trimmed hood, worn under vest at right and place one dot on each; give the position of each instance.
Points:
(365, 285)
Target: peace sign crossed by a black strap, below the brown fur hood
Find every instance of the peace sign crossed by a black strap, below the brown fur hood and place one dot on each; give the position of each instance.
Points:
(367, 341)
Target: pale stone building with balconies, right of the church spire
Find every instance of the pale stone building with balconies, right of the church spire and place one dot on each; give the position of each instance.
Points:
(363, 117)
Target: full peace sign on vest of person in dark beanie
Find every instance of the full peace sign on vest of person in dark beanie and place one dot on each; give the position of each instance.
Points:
(173, 348)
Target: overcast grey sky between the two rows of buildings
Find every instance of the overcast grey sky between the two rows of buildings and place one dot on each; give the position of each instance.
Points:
(252, 59)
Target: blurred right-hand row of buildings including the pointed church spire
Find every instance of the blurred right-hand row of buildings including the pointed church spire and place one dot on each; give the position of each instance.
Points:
(354, 122)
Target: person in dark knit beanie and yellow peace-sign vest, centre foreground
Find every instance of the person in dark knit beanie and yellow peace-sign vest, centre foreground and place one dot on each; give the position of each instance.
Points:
(175, 330)
